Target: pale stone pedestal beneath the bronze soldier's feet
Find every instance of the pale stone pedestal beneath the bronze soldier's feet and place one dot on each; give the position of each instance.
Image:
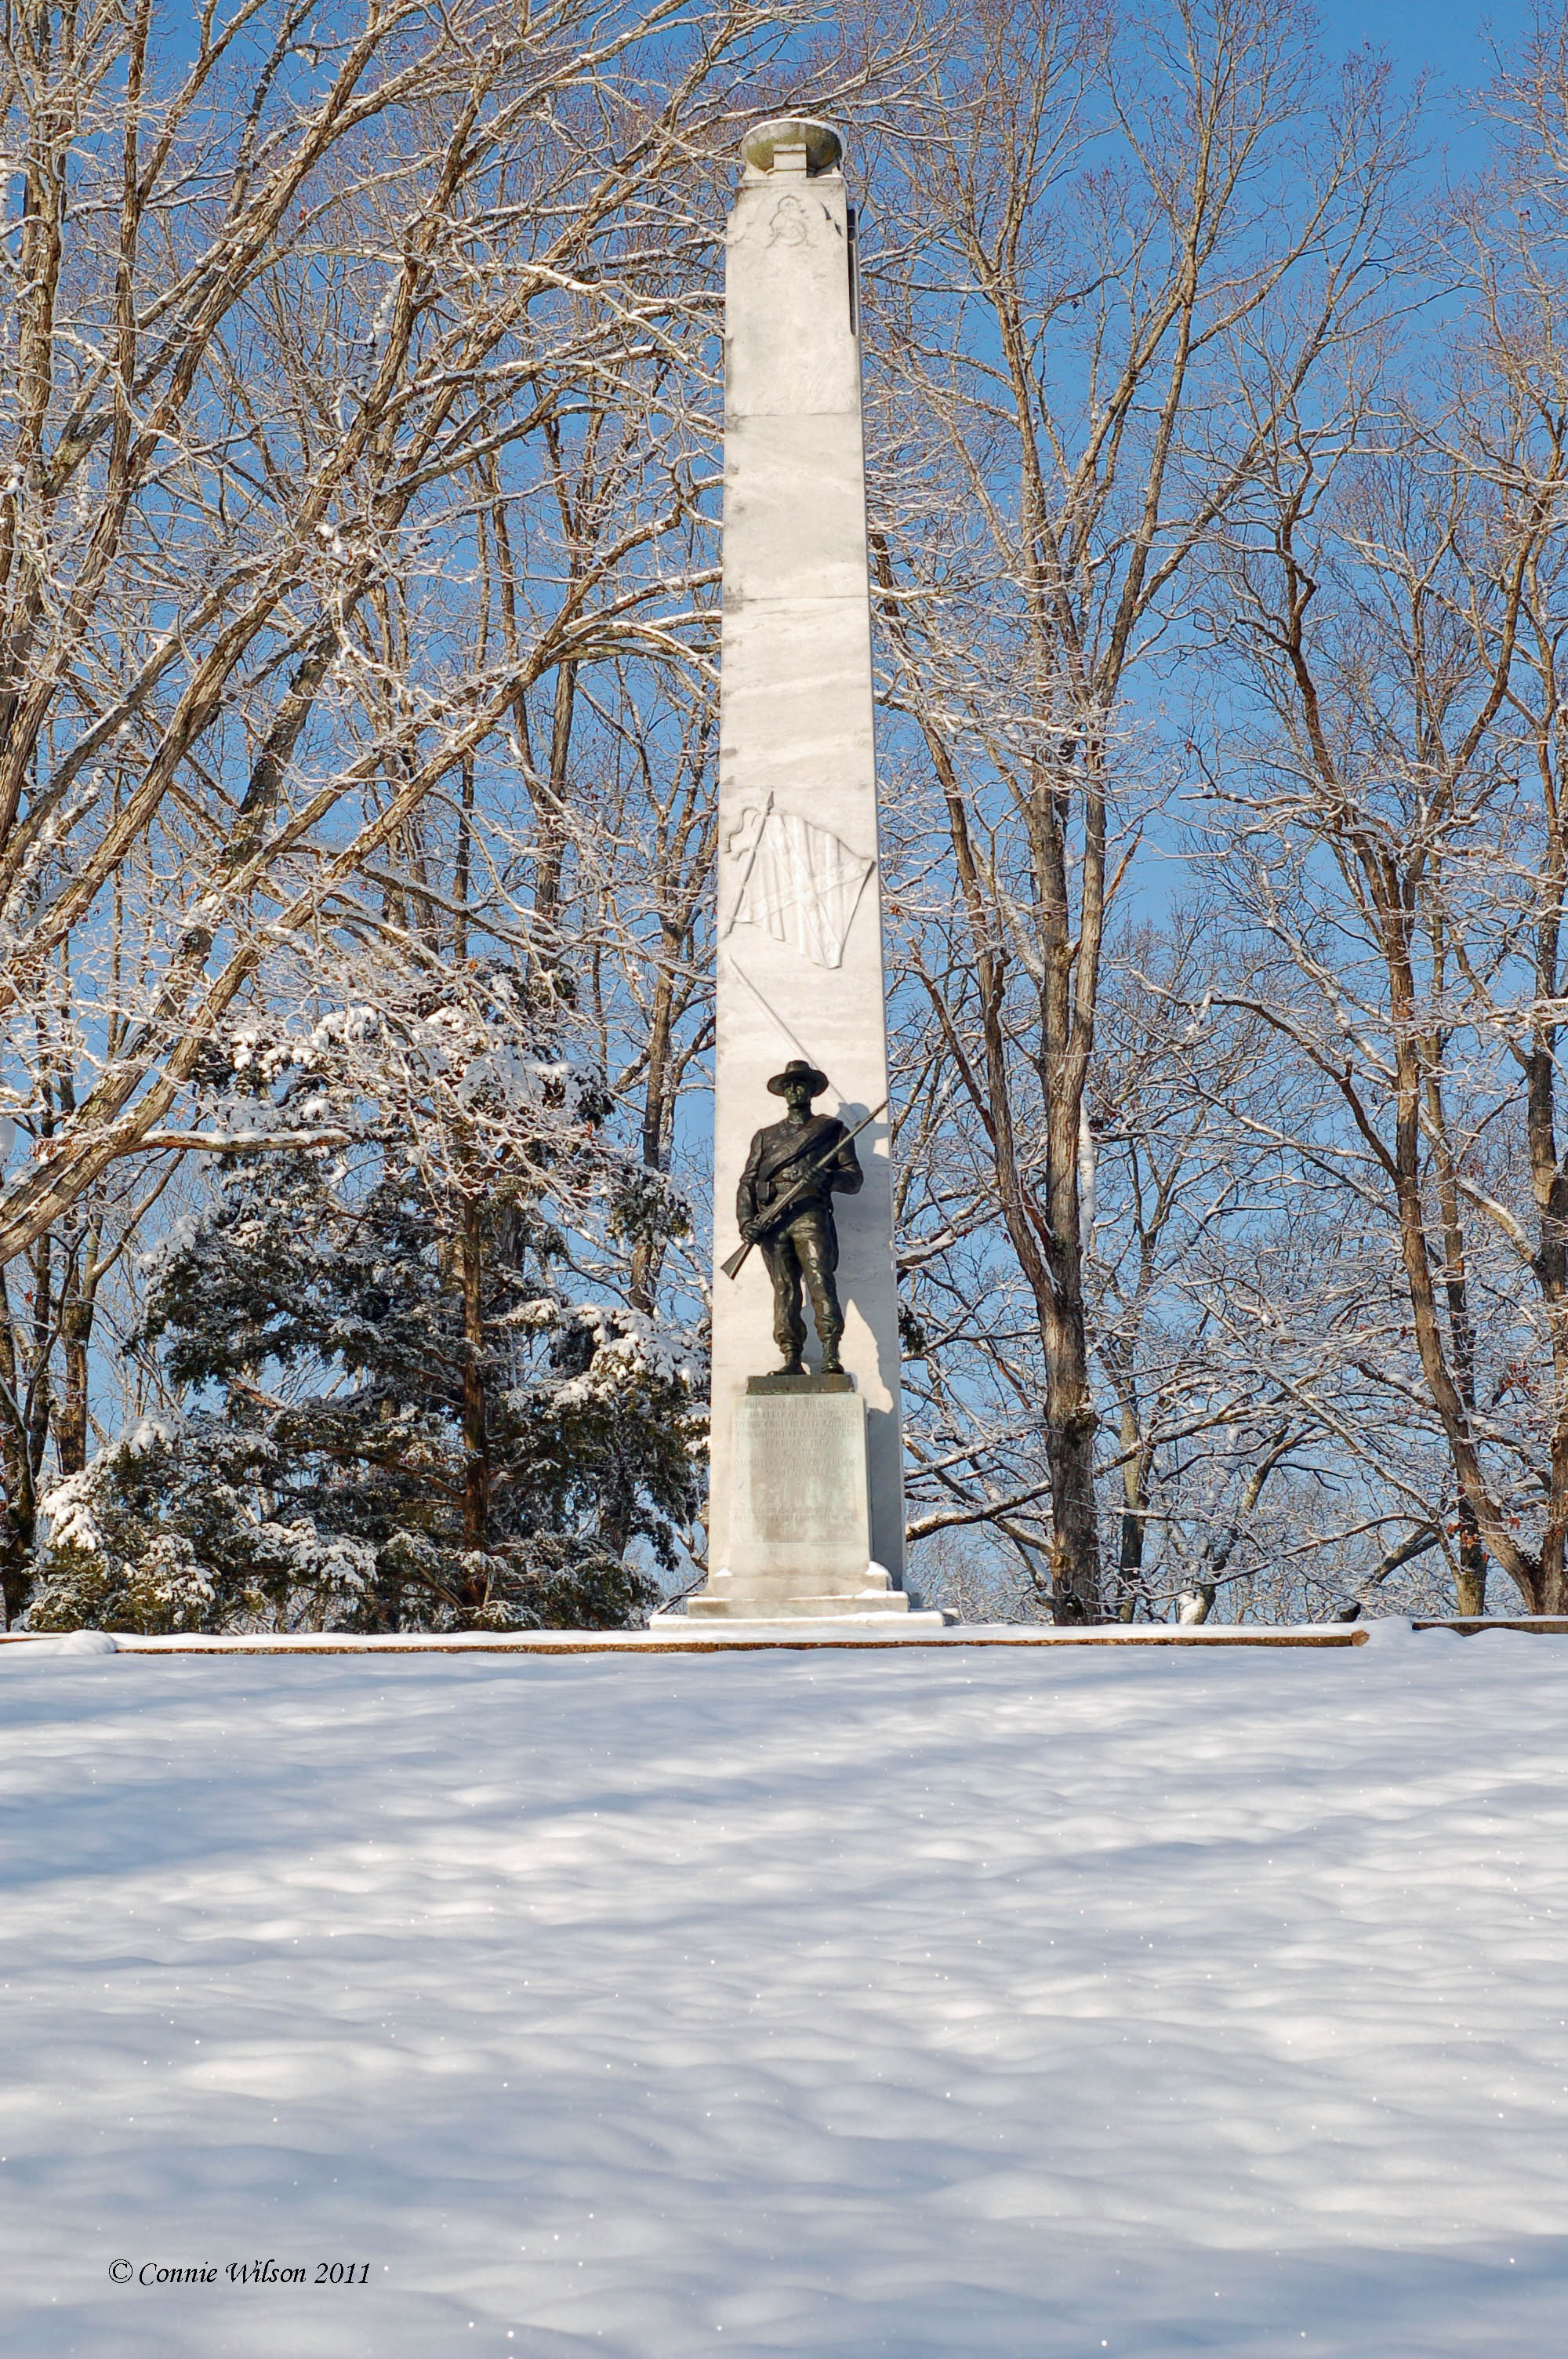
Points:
(801, 1511)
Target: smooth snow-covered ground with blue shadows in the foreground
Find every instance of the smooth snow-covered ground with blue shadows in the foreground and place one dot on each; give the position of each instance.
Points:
(918, 2002)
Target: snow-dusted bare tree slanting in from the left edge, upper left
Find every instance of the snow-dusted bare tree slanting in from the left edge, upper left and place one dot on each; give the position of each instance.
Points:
(270, 313)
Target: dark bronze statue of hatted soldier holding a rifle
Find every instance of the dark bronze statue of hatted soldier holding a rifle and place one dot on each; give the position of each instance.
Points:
(810, 1159)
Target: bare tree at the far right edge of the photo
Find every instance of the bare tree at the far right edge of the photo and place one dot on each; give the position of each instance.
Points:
(1402, 843)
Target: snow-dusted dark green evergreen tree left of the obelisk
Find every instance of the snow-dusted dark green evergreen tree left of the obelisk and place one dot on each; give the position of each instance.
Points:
(407, 1419)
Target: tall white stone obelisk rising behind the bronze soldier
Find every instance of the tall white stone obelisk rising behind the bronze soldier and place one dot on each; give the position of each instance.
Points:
(801, 902)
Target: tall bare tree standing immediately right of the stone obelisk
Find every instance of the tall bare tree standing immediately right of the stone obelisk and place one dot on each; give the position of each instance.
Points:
(1126, 244)
